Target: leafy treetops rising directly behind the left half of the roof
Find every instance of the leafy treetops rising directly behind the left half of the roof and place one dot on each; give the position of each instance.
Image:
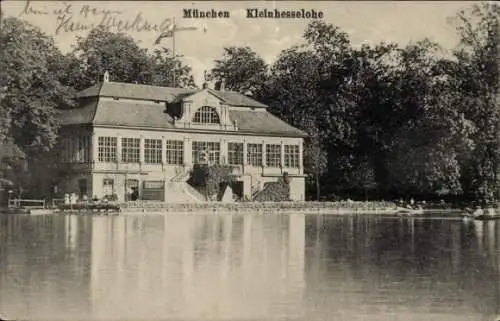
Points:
(120, 55)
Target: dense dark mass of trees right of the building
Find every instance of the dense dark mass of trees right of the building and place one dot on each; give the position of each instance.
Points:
(386, 121)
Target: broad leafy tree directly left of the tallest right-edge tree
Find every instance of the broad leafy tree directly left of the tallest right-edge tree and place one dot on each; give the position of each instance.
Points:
(432, 132)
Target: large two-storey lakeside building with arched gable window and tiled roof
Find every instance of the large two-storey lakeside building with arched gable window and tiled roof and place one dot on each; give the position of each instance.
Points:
(126, 136)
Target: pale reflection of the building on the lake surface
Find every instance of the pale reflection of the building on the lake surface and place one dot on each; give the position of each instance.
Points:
(196, 266)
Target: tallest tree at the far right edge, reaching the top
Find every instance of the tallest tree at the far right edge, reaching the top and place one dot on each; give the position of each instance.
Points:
(478, 76)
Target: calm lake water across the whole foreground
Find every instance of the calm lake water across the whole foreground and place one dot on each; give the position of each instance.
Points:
(248, 267)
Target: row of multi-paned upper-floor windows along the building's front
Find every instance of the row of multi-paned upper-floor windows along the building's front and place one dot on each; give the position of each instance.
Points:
(202, 152)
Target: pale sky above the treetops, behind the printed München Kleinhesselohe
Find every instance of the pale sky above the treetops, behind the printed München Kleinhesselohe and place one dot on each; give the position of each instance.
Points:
(367, 22)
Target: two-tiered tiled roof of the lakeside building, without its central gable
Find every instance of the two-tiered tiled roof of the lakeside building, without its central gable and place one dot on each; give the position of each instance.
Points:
(128, 113)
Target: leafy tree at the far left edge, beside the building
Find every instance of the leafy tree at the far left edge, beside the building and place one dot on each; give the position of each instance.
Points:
(32, 67)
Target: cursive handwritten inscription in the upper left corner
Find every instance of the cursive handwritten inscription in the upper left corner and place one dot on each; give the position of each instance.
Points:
(72, 18)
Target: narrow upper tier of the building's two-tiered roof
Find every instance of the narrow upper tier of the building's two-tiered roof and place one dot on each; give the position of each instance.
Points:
(168, 94)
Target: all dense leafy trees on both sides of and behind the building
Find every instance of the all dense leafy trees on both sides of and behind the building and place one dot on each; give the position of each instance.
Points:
(383, 120)
